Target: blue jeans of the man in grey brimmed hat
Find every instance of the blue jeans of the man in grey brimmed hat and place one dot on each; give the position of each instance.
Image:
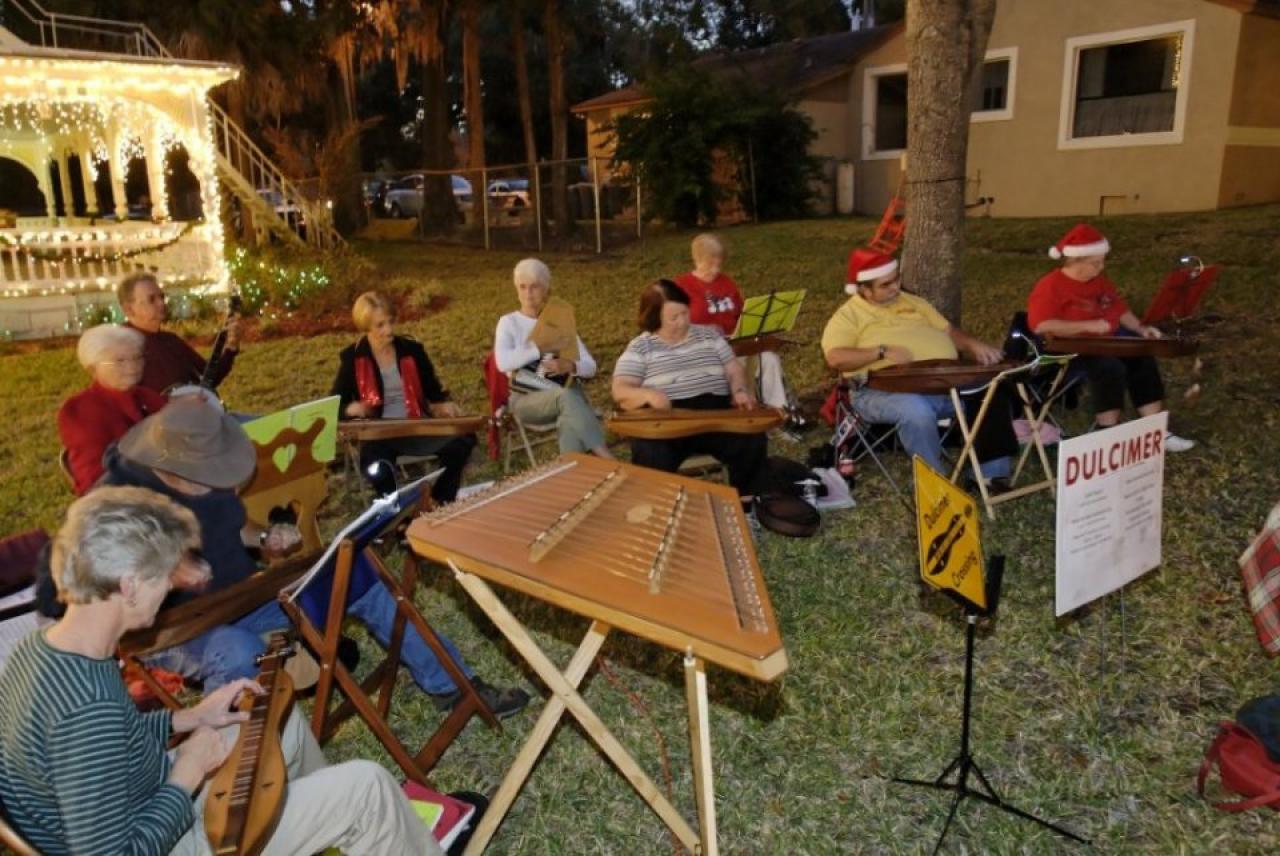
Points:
(227, 653)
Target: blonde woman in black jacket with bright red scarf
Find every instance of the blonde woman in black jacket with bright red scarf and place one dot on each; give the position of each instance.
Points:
(391, 377)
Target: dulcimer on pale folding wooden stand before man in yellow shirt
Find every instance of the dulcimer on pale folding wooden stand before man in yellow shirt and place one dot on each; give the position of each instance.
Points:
(953, 377)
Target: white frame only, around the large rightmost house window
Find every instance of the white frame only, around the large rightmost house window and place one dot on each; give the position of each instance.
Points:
(1071, 72)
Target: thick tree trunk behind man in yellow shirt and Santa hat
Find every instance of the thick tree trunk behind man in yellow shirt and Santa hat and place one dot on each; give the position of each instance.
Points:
(945, 45)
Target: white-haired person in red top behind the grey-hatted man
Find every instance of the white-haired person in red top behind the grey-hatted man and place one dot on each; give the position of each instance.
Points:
(115, 402)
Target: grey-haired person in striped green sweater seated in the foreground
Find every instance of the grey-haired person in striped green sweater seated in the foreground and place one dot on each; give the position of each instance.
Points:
(84, 772)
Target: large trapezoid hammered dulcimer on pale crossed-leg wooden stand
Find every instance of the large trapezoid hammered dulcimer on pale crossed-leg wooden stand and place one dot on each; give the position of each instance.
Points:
(659, 556)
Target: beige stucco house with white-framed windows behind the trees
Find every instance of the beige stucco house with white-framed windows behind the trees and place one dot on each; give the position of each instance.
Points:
(1085, 108)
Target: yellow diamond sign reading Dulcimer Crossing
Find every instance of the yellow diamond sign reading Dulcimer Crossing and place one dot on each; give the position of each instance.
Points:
(947, 524)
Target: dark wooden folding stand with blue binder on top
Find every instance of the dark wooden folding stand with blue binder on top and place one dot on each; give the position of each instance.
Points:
(317, 605)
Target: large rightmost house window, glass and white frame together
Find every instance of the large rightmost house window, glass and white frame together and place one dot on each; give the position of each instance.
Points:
(1128, 89)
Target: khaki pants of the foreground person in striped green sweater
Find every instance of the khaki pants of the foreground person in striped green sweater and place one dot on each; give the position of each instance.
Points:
(356, 807)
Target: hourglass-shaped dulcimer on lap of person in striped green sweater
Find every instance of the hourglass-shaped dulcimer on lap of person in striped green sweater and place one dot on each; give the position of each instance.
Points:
(246, 795)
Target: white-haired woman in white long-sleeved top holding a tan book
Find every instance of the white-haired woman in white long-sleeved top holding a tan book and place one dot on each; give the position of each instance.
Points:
(554, 396)
